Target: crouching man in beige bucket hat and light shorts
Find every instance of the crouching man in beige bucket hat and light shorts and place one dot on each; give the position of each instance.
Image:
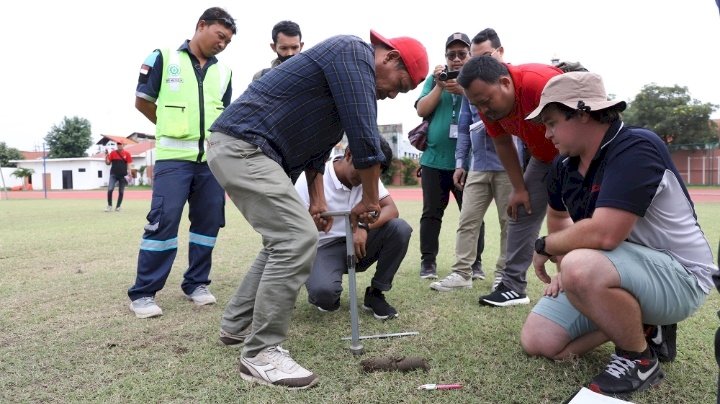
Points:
(623, 233)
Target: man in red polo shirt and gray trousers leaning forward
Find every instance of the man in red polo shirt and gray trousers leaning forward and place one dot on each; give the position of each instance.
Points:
(504, 95)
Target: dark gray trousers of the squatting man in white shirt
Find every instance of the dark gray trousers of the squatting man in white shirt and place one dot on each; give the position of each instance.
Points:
(386, 245)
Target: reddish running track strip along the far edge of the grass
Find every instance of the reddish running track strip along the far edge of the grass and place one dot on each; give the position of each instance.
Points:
(399, 194)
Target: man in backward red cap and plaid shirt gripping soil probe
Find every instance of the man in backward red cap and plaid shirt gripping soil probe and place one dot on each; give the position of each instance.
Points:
(285, 123)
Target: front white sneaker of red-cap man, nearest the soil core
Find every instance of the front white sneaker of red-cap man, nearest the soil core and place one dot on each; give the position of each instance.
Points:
(273, 366)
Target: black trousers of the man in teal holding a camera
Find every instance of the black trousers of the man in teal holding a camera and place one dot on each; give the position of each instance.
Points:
(437, 186)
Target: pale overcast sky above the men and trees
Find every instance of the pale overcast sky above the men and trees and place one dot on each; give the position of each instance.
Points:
(81, 58)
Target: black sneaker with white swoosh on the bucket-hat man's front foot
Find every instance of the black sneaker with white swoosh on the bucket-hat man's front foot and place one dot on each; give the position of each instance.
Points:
(624, 375)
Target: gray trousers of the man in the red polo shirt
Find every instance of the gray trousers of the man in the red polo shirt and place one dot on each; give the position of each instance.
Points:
(523, 232)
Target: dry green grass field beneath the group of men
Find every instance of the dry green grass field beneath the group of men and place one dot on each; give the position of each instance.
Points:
(68, 335)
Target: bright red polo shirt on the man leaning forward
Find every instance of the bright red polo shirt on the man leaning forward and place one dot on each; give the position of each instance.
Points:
(529, 81)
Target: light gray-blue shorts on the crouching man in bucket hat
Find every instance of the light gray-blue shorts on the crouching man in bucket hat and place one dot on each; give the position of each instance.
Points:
(666, 291)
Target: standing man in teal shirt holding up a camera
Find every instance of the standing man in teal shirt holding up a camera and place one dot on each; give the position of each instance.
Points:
(440, 100)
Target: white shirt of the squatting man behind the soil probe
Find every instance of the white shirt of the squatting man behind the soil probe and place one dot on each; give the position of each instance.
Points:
(338, 197)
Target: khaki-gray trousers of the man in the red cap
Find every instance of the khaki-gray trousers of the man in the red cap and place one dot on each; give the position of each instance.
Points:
(264, 194)
